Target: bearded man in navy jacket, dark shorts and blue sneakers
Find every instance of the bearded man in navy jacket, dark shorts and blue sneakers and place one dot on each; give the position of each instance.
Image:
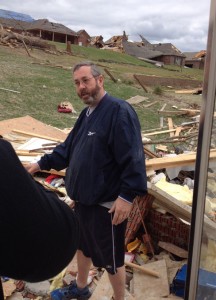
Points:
(105, 165)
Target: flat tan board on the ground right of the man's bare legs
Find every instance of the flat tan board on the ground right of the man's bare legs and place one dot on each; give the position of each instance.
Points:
(146, 286)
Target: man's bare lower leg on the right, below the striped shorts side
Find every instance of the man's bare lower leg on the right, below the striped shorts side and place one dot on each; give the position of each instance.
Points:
(118, 283)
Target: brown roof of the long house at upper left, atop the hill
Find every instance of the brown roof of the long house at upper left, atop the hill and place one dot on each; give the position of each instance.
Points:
(46, 25)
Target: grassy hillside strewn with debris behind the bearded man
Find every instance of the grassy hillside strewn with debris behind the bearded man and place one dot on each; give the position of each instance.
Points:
(35, 85)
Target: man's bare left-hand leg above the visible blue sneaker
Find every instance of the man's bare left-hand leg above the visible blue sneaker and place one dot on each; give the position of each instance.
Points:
(83, 264)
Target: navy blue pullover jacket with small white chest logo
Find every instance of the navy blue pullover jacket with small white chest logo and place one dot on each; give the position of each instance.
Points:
(103, 155)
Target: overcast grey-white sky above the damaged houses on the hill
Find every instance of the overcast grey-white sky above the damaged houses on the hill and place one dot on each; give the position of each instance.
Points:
(184, 23)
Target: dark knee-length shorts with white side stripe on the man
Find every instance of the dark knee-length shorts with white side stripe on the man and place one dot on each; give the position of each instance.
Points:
(99, 239)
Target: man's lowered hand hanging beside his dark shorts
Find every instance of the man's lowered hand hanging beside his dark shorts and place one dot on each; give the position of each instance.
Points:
(121, 210)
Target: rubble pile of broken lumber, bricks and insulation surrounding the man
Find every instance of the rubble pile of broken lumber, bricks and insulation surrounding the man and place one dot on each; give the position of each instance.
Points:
(157, 235)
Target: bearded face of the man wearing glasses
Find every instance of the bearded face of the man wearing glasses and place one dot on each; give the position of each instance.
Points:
(88, 87)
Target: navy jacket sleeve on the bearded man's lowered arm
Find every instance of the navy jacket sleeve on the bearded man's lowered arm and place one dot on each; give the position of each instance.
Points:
(129, 153)
